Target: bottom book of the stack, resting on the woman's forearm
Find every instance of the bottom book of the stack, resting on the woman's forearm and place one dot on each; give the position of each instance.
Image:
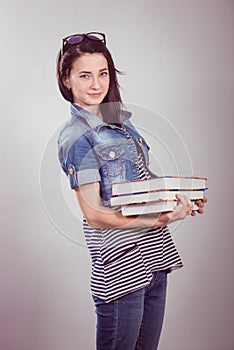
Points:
(151, 207)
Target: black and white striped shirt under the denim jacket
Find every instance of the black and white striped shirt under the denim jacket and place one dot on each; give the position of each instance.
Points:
(123, 259)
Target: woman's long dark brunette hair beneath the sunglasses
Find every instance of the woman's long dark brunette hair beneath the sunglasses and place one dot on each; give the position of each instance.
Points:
(112, 103)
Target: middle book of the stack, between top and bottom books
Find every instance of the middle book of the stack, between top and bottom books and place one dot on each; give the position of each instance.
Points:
(155, 196)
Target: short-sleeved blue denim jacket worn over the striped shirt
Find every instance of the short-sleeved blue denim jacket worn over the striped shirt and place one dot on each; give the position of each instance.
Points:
(91, 150)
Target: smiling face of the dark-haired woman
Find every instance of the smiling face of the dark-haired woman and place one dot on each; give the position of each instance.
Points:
(89, 80)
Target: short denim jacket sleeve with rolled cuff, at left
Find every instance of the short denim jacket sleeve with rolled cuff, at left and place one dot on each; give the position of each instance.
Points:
(82, 164)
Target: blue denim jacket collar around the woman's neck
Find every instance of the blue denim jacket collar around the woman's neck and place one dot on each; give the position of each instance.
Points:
(93, 120)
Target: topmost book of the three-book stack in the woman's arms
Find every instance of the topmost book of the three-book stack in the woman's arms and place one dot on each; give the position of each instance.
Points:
(159, 183)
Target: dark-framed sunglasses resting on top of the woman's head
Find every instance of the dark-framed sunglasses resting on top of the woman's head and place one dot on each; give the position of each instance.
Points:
(78, 38)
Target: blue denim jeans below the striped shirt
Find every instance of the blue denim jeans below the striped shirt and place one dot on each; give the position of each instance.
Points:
(134, 321)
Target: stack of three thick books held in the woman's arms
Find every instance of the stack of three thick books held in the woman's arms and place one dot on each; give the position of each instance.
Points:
(157, 194)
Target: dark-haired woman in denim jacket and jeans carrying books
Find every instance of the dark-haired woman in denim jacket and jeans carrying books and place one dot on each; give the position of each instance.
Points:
(131, 256)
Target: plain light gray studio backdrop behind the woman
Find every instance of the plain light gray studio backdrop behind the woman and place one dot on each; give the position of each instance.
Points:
(179, 60)
